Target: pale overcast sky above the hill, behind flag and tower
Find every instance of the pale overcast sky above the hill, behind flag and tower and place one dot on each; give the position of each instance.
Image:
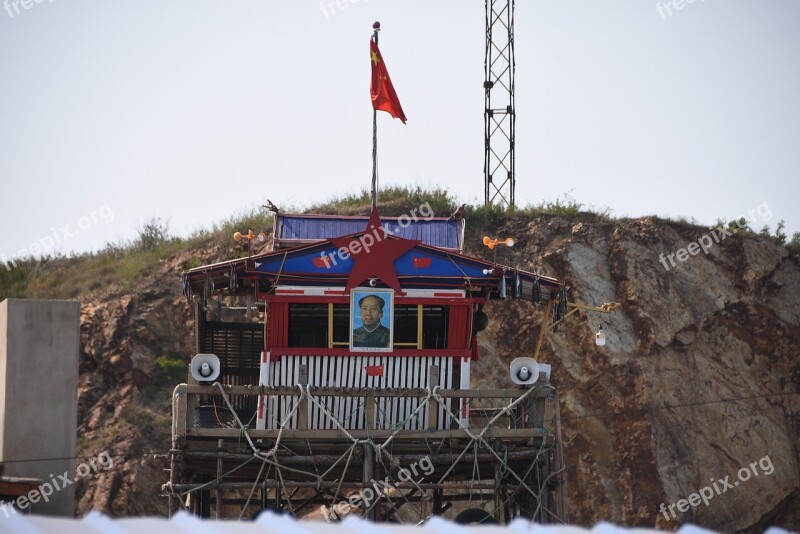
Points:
(194, 110)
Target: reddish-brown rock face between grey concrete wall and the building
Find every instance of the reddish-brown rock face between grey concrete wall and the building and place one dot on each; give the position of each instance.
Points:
(125, 390)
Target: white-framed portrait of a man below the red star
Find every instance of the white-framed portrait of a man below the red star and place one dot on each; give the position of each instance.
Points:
(371, 320)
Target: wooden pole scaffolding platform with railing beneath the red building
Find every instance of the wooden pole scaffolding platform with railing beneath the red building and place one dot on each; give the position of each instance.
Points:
(507, 463)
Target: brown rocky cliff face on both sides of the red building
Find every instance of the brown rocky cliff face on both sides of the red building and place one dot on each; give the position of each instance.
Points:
(698, 380)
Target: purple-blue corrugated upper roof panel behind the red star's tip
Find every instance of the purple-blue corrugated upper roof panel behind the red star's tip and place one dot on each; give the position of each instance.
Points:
(291, 230)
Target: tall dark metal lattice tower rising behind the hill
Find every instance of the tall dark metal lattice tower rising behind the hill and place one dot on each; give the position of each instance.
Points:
(498, 164)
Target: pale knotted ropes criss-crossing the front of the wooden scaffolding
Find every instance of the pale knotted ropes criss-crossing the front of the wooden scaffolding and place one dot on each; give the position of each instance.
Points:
(392, 494)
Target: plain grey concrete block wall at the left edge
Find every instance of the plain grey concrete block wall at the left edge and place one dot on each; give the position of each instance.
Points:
(39, 343)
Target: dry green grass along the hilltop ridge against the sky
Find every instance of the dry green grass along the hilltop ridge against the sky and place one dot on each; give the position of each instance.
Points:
(119, 265)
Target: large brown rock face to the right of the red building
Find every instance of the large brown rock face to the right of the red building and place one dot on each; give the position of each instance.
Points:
(699, 377)
